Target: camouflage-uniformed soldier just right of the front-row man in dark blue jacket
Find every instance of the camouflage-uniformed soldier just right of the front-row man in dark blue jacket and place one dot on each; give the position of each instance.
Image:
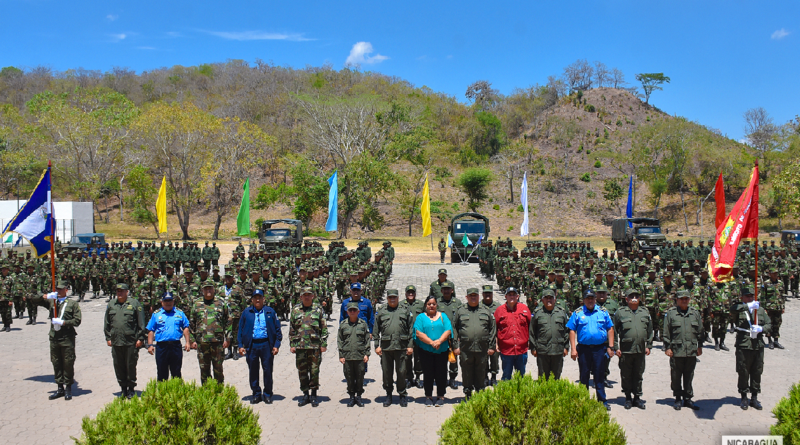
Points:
(308, 338)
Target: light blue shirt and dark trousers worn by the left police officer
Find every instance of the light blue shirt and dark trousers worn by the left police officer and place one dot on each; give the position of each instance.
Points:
(168, 329)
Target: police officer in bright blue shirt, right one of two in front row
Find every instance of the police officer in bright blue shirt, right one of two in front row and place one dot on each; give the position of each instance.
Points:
(591, 328)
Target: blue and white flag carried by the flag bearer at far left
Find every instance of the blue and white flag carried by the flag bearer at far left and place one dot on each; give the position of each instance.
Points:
(34, 221)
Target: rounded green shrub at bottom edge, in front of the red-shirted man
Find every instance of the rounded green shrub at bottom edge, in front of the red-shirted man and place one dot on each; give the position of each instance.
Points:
(523, 410)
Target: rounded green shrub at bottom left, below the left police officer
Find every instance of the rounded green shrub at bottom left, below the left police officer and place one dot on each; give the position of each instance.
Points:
(175, 411)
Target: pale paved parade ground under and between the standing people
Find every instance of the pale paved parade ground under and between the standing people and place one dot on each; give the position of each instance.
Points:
(29, 418)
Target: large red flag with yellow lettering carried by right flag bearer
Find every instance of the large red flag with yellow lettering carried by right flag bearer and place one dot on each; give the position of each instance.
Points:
(741, 223)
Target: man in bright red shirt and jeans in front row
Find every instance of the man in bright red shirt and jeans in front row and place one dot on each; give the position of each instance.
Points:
(512, 319)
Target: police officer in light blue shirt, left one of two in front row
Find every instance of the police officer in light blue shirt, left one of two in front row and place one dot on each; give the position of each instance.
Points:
(166, 327)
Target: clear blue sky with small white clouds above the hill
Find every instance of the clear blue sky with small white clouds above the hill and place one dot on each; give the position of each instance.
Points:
(724, 57)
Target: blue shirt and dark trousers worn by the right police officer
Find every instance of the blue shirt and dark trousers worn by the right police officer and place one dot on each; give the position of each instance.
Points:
(591, 329)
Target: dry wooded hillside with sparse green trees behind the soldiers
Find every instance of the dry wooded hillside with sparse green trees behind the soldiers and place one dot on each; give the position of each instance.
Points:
(113, 135)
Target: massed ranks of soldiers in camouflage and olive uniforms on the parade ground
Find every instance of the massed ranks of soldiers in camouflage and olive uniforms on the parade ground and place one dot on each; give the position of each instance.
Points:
(668, 298)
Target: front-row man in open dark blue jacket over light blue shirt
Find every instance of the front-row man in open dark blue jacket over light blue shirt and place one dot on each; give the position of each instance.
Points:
(259, 341)
